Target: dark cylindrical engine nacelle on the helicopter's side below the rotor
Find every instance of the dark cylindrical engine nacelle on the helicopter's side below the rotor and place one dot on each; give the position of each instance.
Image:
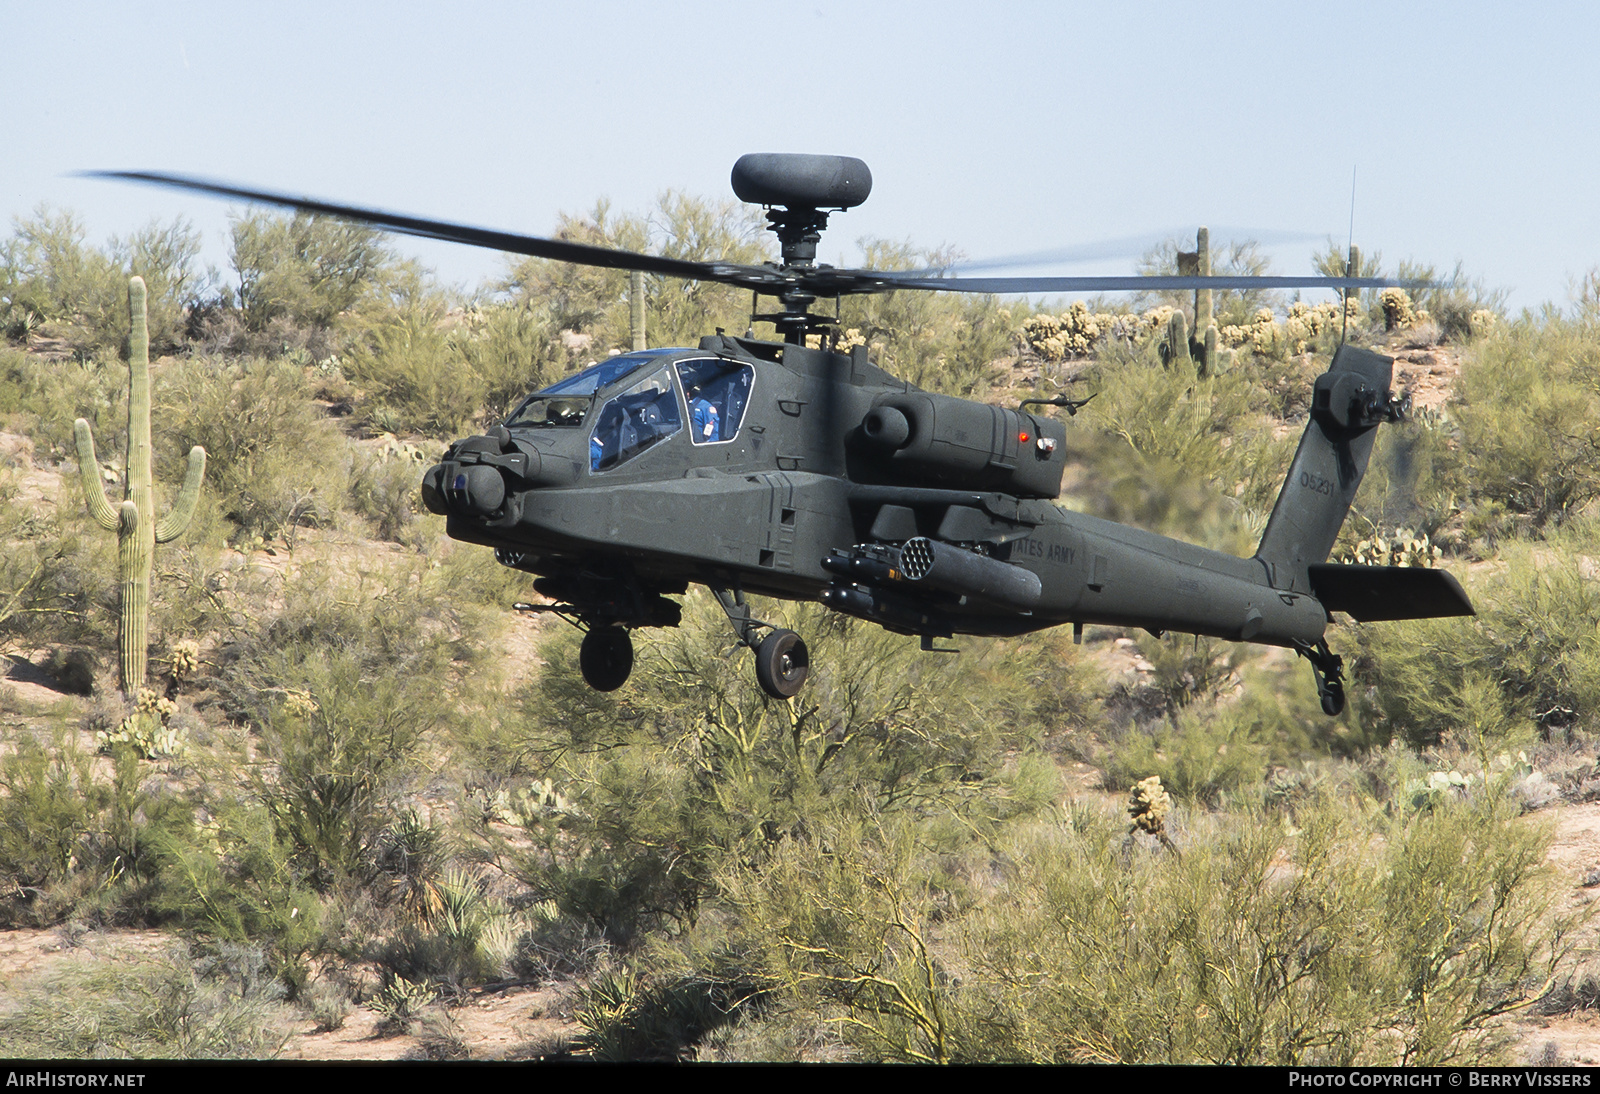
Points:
(974, 445)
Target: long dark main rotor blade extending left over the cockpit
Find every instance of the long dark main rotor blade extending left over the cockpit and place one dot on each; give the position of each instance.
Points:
(559, 250)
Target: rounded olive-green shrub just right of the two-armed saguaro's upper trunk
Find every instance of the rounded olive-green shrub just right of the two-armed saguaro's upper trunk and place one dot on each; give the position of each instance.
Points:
(270, 452)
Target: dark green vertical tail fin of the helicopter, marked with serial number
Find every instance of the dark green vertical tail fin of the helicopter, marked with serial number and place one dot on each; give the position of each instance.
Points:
(1348, 404)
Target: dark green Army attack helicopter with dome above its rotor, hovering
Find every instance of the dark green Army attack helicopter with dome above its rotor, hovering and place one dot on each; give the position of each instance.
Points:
(798, 471)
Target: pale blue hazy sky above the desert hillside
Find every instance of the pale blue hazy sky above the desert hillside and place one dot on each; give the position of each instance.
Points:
(998, 129)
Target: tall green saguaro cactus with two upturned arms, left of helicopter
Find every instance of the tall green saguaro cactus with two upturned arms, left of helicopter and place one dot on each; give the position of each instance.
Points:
(135, 522)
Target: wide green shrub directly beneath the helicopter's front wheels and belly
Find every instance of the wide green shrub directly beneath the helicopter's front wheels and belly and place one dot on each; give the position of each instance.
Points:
(690, 765)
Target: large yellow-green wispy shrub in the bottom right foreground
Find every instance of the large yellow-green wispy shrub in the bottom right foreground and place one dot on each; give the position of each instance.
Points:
(1362, 951)
